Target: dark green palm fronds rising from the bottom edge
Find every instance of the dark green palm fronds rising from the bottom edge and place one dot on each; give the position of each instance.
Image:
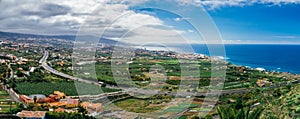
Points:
(227, 112)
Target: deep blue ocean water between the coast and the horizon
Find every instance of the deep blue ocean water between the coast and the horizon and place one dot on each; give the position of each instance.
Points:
(283, 58)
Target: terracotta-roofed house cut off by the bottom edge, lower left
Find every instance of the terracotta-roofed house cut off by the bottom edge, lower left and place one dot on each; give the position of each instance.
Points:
(32, 114)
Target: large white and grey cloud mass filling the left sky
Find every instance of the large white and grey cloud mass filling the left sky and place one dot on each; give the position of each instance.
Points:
(57, 17)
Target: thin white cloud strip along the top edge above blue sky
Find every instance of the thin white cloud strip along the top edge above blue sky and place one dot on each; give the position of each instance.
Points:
(213, 4)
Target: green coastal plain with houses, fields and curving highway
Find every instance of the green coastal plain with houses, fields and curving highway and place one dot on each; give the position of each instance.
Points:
(38, 80)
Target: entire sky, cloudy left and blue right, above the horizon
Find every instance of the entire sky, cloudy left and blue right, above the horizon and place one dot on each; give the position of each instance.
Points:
(156, 21)
